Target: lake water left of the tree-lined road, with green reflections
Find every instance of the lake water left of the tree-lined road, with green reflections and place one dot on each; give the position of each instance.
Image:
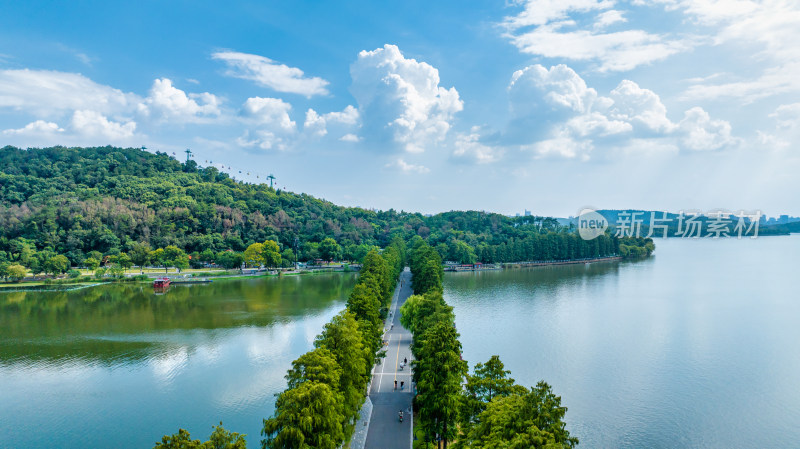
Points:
(117, 366)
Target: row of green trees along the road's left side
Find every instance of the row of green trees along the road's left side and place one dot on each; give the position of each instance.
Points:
(326, 386)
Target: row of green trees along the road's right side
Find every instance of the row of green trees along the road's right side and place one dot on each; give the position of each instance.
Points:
(480, 411)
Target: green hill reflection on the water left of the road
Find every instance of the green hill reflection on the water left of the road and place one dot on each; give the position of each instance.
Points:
(121, 322)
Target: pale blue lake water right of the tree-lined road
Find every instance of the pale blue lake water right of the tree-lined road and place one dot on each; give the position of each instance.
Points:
(697, 347)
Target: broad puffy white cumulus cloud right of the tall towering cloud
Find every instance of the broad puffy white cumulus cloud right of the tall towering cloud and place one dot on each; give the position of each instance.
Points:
(555, 114)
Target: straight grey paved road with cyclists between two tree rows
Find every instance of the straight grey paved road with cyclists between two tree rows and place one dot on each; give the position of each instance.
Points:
(385, 429)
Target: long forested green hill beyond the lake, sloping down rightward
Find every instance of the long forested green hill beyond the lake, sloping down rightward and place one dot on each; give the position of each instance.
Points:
(73, 201)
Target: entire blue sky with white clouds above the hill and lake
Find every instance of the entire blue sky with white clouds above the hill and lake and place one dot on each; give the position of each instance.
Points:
(546, 105)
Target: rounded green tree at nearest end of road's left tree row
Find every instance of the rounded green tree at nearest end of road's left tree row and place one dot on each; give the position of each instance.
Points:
(308, 416)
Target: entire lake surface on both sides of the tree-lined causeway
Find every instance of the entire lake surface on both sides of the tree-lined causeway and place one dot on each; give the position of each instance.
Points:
(695, 347)
